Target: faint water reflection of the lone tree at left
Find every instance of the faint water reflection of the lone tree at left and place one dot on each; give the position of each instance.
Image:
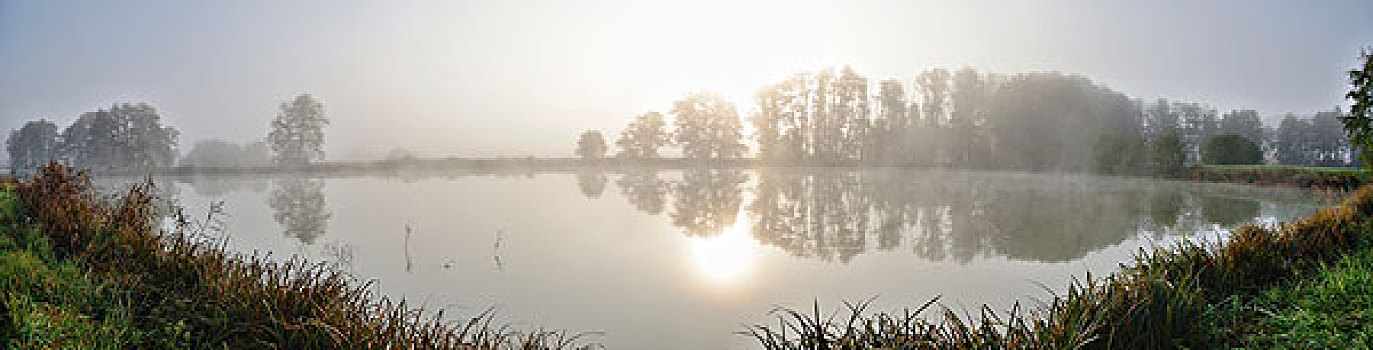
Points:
(299, 207)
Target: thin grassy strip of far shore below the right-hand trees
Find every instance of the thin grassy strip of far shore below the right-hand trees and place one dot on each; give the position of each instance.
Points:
(1283, 175)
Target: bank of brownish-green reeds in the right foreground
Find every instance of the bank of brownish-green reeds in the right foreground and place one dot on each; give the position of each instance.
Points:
(1187, 296)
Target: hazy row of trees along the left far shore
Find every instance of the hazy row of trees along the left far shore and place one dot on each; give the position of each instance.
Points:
(130, 137)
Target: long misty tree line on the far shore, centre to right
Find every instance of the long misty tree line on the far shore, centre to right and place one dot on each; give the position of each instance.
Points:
(973, 120)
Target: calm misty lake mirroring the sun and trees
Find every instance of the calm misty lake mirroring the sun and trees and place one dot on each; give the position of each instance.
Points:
(689, 259)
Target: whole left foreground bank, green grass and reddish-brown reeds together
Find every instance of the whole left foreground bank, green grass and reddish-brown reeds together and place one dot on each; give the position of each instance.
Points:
(79, 271)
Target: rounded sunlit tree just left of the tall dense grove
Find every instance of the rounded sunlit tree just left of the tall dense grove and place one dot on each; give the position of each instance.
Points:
(708, 127)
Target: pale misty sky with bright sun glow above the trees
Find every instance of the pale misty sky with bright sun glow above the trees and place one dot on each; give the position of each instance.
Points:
(511, 79)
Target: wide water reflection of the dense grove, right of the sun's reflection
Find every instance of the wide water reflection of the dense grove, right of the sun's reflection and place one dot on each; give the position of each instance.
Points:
(837, 216)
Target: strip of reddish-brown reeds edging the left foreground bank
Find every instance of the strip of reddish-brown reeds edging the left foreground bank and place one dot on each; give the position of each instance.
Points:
(175, 279)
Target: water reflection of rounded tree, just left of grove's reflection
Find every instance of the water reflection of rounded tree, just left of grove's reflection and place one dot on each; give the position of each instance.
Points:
(708, 201)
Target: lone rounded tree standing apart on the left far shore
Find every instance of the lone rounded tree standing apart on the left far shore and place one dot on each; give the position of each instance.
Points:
(297, 137)
